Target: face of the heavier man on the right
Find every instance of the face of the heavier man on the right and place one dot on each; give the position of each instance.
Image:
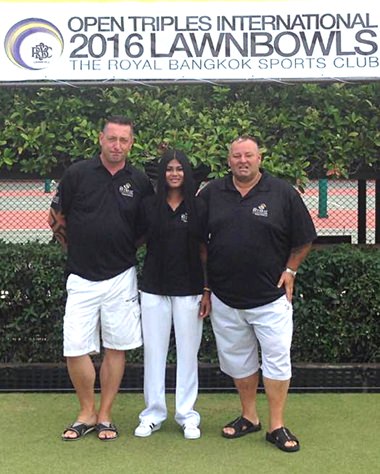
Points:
(244, 160)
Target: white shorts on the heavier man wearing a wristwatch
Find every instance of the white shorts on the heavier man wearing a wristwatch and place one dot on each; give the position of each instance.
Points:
(239, 331)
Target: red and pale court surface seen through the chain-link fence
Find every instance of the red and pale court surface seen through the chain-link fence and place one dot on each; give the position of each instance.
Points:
(24, 208)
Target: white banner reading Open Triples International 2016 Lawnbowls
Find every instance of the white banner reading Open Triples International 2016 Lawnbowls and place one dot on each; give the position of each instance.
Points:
(121, 41)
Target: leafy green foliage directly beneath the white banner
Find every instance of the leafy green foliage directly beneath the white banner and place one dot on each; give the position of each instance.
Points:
(304, 129)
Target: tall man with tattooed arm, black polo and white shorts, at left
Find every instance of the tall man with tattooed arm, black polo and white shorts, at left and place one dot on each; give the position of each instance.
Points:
(93, 216)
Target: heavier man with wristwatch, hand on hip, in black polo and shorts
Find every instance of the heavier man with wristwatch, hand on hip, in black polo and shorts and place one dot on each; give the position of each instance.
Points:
(259, 233)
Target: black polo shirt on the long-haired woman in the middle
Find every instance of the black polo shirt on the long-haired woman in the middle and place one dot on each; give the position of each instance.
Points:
(167, 267)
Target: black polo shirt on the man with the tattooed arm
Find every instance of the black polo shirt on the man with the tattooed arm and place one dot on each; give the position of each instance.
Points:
(100, 211)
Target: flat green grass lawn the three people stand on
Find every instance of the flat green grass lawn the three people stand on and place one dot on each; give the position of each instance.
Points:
(338, 434)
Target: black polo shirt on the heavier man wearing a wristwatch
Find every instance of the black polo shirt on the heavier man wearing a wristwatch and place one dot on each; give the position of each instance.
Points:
(251, 237)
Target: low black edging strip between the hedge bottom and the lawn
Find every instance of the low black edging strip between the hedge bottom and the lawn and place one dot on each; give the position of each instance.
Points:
(306, 378)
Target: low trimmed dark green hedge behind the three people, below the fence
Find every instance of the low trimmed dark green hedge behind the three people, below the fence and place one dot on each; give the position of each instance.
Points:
(336, 305)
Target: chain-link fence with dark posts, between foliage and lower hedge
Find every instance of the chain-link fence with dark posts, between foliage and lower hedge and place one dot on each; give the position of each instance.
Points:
(342, 210)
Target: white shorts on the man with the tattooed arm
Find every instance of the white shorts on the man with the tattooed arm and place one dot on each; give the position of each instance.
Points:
(109, 307)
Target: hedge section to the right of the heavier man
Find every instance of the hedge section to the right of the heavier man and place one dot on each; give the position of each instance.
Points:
(337, 306)
